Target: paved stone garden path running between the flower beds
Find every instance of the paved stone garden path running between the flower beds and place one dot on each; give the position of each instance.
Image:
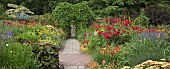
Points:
(71, 57)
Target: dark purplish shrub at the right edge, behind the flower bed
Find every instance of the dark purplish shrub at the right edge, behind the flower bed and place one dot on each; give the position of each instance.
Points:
(158, 14)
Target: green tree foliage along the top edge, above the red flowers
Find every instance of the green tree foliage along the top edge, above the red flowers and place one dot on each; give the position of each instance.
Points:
(105, 8)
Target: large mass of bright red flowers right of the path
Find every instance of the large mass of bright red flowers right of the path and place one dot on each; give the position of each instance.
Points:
(117, 29)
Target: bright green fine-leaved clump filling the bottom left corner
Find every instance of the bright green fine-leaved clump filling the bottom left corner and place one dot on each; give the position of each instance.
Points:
(17, 56)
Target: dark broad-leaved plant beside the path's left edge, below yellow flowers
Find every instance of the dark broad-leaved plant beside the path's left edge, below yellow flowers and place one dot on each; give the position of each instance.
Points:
(47, 56)
